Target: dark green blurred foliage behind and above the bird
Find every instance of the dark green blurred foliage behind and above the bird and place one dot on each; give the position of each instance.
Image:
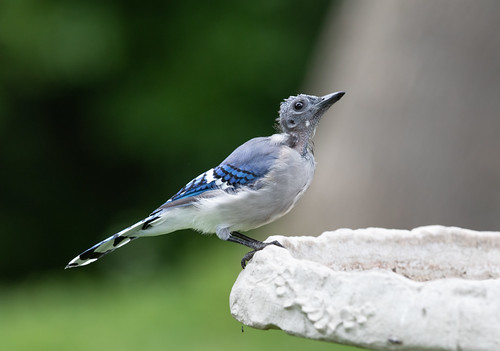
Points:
(107, 108)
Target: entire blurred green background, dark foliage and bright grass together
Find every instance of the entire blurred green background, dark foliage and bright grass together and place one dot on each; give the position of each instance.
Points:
(107, 108)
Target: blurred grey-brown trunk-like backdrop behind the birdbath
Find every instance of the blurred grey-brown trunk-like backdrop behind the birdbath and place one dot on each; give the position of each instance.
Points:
(416, 139)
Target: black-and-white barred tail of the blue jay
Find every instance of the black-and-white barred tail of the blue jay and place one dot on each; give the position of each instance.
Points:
(106, 246)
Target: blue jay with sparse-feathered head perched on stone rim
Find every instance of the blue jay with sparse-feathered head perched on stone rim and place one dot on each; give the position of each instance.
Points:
(259, 182)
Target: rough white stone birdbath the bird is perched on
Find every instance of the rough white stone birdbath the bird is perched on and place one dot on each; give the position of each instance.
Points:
(431, 288)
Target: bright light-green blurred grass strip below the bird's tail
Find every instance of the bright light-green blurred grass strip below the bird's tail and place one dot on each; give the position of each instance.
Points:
(177, 311)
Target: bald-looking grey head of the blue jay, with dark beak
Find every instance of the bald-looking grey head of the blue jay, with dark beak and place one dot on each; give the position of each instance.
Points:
(301, 114)
